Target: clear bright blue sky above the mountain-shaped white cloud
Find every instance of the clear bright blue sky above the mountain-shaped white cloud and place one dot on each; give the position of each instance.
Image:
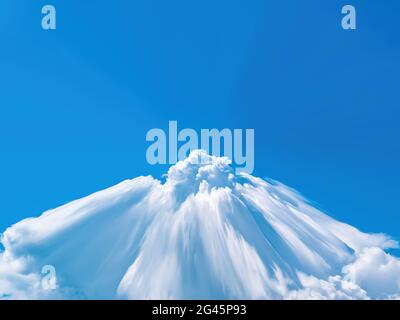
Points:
(76, 103)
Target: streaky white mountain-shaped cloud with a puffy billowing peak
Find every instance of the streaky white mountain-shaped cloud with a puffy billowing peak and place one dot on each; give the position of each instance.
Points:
(205, 232)
